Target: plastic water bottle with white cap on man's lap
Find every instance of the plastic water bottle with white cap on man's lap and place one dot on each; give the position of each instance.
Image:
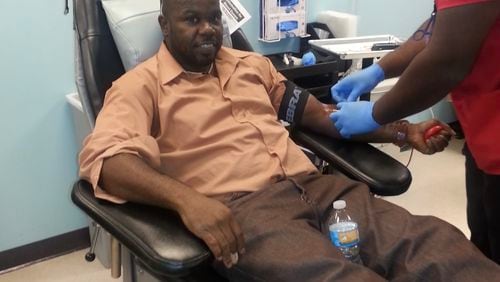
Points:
(344, 232)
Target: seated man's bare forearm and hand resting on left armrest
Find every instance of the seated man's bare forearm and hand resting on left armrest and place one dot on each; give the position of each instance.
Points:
(129, 177)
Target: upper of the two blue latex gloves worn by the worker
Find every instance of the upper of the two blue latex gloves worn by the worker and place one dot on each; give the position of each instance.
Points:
(354, 85)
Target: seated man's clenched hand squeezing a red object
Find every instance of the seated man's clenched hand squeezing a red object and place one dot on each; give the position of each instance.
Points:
(436, 143)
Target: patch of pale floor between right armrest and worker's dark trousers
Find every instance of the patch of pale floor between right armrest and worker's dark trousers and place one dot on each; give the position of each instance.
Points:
(438, 185)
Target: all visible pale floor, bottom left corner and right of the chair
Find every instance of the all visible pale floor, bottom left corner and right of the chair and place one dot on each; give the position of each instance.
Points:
(437, 189)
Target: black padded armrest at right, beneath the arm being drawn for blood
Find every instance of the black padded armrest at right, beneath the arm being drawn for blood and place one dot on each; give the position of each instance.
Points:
(360, 161)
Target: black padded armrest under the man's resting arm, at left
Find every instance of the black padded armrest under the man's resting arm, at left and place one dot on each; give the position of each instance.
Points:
(157, 237)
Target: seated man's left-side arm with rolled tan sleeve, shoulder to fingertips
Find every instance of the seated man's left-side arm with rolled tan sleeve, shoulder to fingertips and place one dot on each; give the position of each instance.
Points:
(121, 159)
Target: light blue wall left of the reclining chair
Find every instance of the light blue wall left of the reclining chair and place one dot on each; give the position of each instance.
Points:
(37, 151)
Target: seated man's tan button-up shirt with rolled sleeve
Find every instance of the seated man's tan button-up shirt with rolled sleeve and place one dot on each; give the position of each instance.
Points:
(216, 133)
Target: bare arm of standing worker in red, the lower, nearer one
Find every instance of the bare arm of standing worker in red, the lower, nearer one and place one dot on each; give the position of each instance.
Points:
(448, 57)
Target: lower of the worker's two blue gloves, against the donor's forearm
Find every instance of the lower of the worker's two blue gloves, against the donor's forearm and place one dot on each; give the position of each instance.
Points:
(354, 118)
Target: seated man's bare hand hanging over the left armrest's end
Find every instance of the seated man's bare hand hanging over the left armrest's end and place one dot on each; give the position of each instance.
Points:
(212, 221)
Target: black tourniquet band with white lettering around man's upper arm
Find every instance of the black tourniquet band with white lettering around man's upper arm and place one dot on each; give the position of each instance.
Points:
(293, 103)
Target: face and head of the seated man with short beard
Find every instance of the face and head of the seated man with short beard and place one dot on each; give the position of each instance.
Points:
(193, 32)
